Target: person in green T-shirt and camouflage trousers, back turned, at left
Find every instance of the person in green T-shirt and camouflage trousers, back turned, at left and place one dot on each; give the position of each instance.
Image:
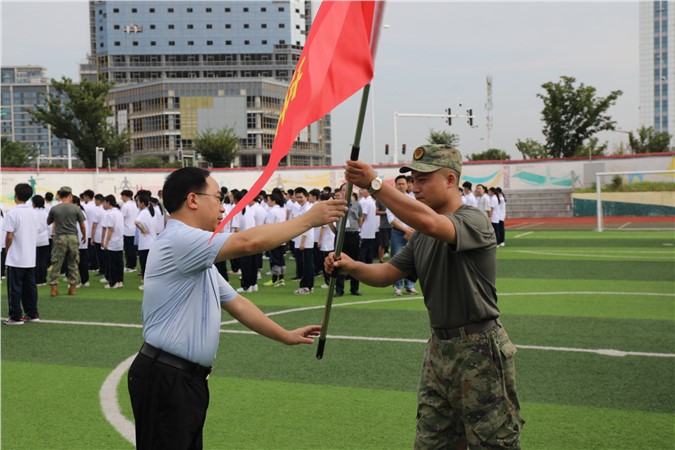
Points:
(65, 217)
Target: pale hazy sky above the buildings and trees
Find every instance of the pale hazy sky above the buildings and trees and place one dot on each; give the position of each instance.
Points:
(431, 56)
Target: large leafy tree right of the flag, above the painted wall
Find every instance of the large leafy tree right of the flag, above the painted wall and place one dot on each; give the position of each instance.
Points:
(572, 114)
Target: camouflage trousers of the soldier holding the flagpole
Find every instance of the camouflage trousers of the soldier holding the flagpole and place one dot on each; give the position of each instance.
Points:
(467, 393)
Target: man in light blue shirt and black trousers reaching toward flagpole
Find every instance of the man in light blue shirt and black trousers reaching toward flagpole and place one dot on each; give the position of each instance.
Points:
(182, 307)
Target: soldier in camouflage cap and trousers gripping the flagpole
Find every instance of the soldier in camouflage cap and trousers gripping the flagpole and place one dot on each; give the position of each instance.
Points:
(467, 391)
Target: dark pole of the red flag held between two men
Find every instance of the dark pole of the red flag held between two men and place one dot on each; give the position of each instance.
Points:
(343, 223)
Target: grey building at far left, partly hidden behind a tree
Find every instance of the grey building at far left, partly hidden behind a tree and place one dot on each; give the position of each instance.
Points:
(22, 88)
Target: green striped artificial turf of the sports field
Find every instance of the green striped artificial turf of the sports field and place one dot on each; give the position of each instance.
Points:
(570, 290)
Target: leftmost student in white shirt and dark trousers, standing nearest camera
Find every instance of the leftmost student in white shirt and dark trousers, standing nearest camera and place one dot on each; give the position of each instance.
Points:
(21, 226)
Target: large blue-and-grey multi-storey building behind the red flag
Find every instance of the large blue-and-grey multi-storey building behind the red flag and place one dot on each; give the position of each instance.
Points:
(182, 67)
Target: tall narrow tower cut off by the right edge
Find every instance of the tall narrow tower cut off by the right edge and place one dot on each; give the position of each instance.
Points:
(657, 65)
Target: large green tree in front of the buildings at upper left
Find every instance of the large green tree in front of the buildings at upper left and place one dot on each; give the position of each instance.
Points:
(78, 112)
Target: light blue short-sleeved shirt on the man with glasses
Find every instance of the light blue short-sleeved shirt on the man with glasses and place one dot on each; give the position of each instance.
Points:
(183, 292)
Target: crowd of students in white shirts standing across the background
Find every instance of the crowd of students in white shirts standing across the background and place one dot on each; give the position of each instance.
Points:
(115, 236)
